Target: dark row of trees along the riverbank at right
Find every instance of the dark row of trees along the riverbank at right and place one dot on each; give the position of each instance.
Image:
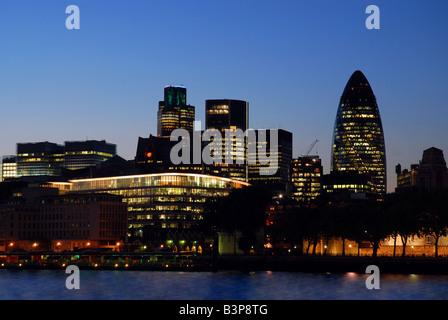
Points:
(404, 215)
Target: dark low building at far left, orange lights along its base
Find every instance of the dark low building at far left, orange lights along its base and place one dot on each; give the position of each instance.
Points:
(41, 219)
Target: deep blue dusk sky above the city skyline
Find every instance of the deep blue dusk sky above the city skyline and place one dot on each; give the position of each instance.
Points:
(289, 59)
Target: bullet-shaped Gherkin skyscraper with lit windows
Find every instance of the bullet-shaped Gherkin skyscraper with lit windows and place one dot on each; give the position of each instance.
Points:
(358, 139)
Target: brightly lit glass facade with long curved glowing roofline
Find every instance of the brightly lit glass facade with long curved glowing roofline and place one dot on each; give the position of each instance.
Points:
(161, 200)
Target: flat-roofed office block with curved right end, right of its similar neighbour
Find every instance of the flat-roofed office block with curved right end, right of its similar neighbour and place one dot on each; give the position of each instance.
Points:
(82, 154)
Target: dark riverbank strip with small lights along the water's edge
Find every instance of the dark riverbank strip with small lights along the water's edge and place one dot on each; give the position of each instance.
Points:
(194, 262)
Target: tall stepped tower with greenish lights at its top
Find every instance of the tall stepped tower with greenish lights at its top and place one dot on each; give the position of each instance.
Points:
(174, 113)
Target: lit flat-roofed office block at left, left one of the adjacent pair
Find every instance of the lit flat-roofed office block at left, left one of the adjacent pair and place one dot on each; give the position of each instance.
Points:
(39, 159)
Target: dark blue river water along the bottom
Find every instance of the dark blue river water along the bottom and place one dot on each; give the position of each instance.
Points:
(226, 285)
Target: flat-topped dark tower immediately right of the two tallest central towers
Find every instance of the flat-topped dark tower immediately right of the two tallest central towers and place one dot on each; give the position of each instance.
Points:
(275, 174)
